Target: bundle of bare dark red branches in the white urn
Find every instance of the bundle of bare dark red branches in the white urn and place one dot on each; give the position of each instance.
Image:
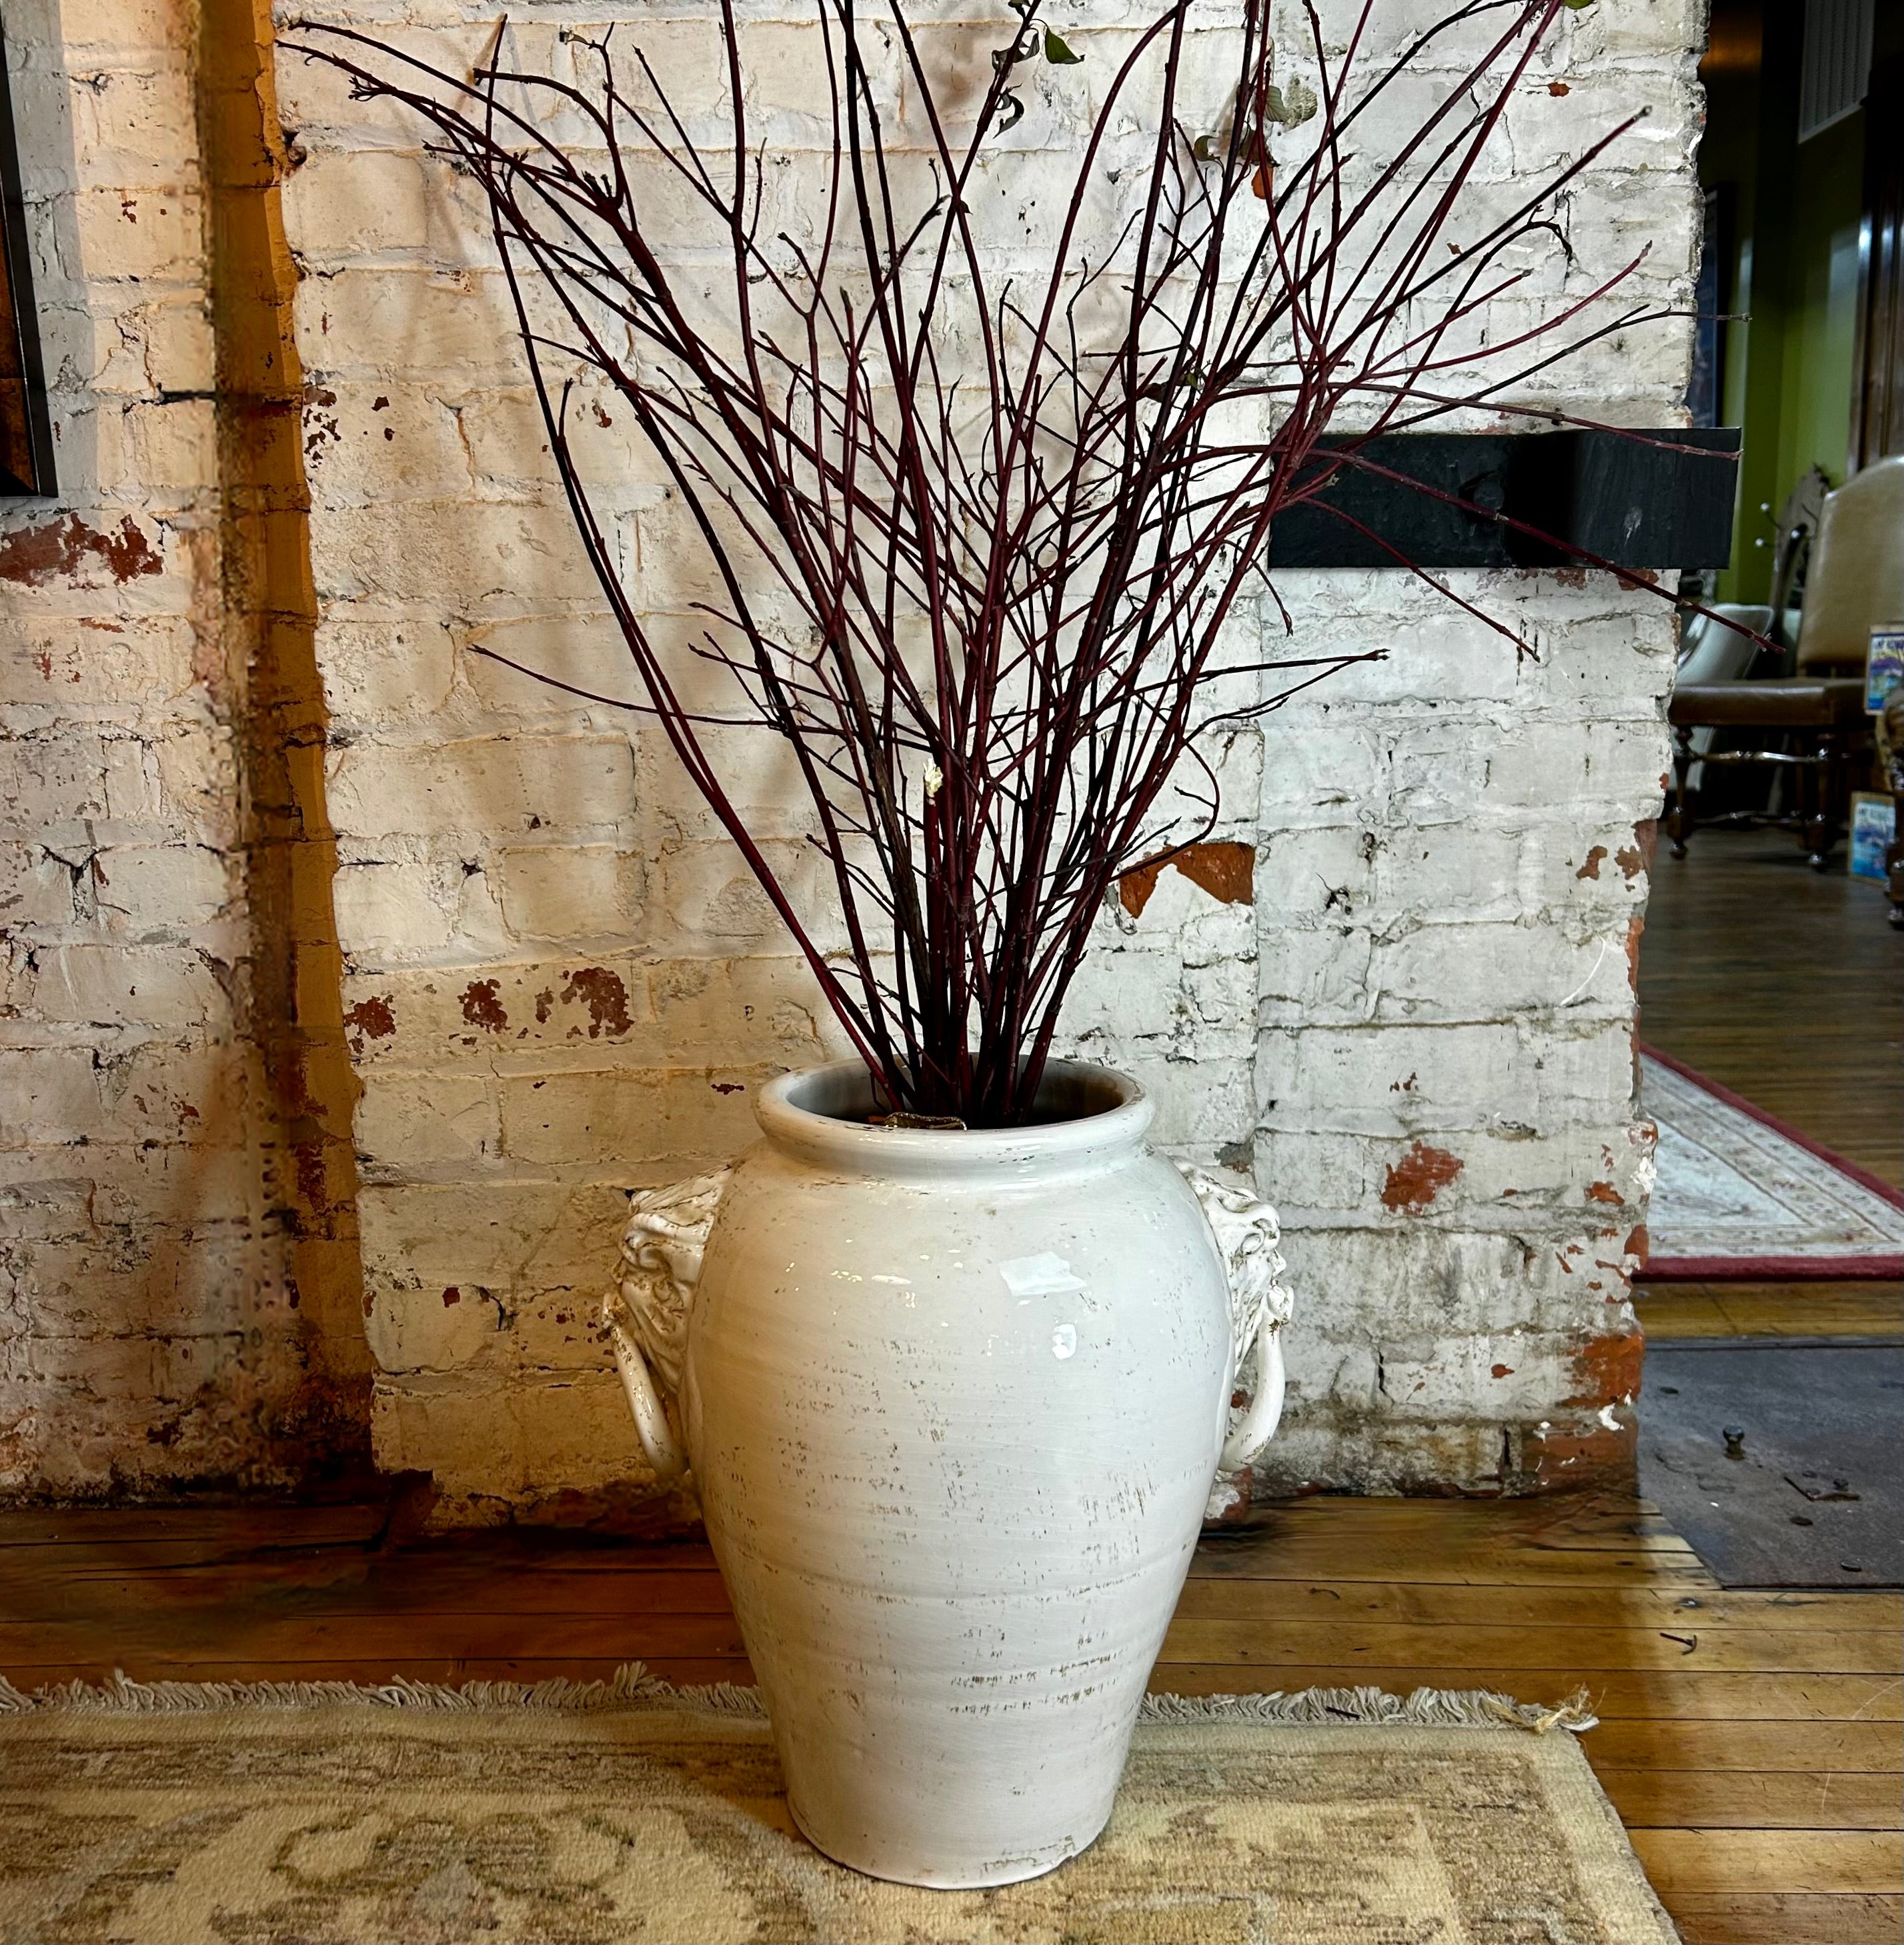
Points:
(981, 513)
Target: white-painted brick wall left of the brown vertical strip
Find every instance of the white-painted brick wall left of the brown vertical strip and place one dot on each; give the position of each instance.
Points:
(149, 1335)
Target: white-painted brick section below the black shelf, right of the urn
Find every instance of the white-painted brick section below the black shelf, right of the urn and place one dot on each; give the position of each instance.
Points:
(1450, 900)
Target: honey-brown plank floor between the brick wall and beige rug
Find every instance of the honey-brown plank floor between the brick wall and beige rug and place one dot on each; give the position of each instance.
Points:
(1751, 1742)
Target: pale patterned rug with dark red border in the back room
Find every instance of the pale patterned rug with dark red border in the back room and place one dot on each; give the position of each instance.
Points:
(1744, 1197)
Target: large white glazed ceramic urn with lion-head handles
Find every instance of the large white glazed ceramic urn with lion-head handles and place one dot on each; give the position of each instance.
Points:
(954, 1405)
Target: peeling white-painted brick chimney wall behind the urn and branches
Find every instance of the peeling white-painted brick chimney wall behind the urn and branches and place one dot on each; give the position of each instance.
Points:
(561, 981)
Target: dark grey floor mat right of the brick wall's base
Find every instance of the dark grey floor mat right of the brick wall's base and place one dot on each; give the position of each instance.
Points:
(1812, 1491)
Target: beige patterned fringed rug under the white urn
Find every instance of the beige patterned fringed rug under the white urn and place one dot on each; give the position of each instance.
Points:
(635, 1812)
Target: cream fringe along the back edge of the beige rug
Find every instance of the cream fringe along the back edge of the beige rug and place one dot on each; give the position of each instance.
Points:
(635, 1689)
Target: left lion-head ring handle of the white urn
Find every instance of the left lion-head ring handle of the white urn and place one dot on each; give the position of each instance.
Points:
(649, 1306)
